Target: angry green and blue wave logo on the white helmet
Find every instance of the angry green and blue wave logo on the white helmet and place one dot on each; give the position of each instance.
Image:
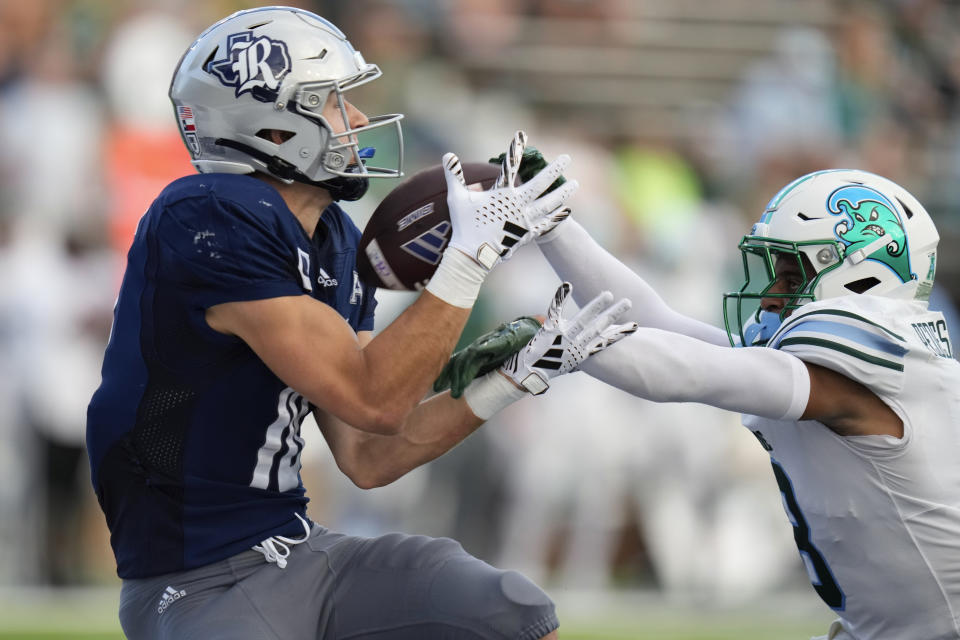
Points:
(866, 216)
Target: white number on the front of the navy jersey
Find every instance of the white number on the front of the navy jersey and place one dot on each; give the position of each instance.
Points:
(278, 460)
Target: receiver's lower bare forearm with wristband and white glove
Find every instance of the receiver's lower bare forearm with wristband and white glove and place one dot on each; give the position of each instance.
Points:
(437, 424)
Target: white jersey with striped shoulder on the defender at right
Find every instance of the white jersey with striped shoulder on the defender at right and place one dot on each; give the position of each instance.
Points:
(877, 518)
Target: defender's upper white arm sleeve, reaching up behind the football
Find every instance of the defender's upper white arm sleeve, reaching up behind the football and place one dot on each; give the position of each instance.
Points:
(577, 258)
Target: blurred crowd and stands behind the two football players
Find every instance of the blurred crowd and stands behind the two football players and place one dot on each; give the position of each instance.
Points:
(683, 118)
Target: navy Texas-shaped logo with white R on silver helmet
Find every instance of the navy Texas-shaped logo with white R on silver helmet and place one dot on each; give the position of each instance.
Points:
(252, 65)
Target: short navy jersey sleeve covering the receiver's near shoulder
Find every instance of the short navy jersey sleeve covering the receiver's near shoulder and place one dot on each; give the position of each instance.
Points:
(218, 251)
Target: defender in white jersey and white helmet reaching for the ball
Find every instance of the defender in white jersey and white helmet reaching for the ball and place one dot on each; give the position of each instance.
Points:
(847, 380)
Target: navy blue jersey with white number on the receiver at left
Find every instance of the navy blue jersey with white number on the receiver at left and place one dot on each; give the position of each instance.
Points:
(194, 443)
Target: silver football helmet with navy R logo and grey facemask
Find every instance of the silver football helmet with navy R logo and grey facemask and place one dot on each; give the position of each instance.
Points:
(274, 68)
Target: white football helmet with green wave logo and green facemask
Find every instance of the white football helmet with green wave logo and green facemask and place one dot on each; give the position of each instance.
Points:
(851, 232)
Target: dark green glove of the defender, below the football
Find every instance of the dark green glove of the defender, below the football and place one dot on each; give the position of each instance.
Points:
(485, 354)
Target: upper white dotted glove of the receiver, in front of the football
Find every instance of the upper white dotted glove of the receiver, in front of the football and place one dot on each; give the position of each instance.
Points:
(490, 225)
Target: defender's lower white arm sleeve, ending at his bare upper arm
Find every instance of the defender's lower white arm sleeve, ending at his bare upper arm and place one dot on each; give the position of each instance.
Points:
(669, 367)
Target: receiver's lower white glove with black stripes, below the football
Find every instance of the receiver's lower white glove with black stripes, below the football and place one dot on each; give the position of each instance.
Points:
(562, 344)
